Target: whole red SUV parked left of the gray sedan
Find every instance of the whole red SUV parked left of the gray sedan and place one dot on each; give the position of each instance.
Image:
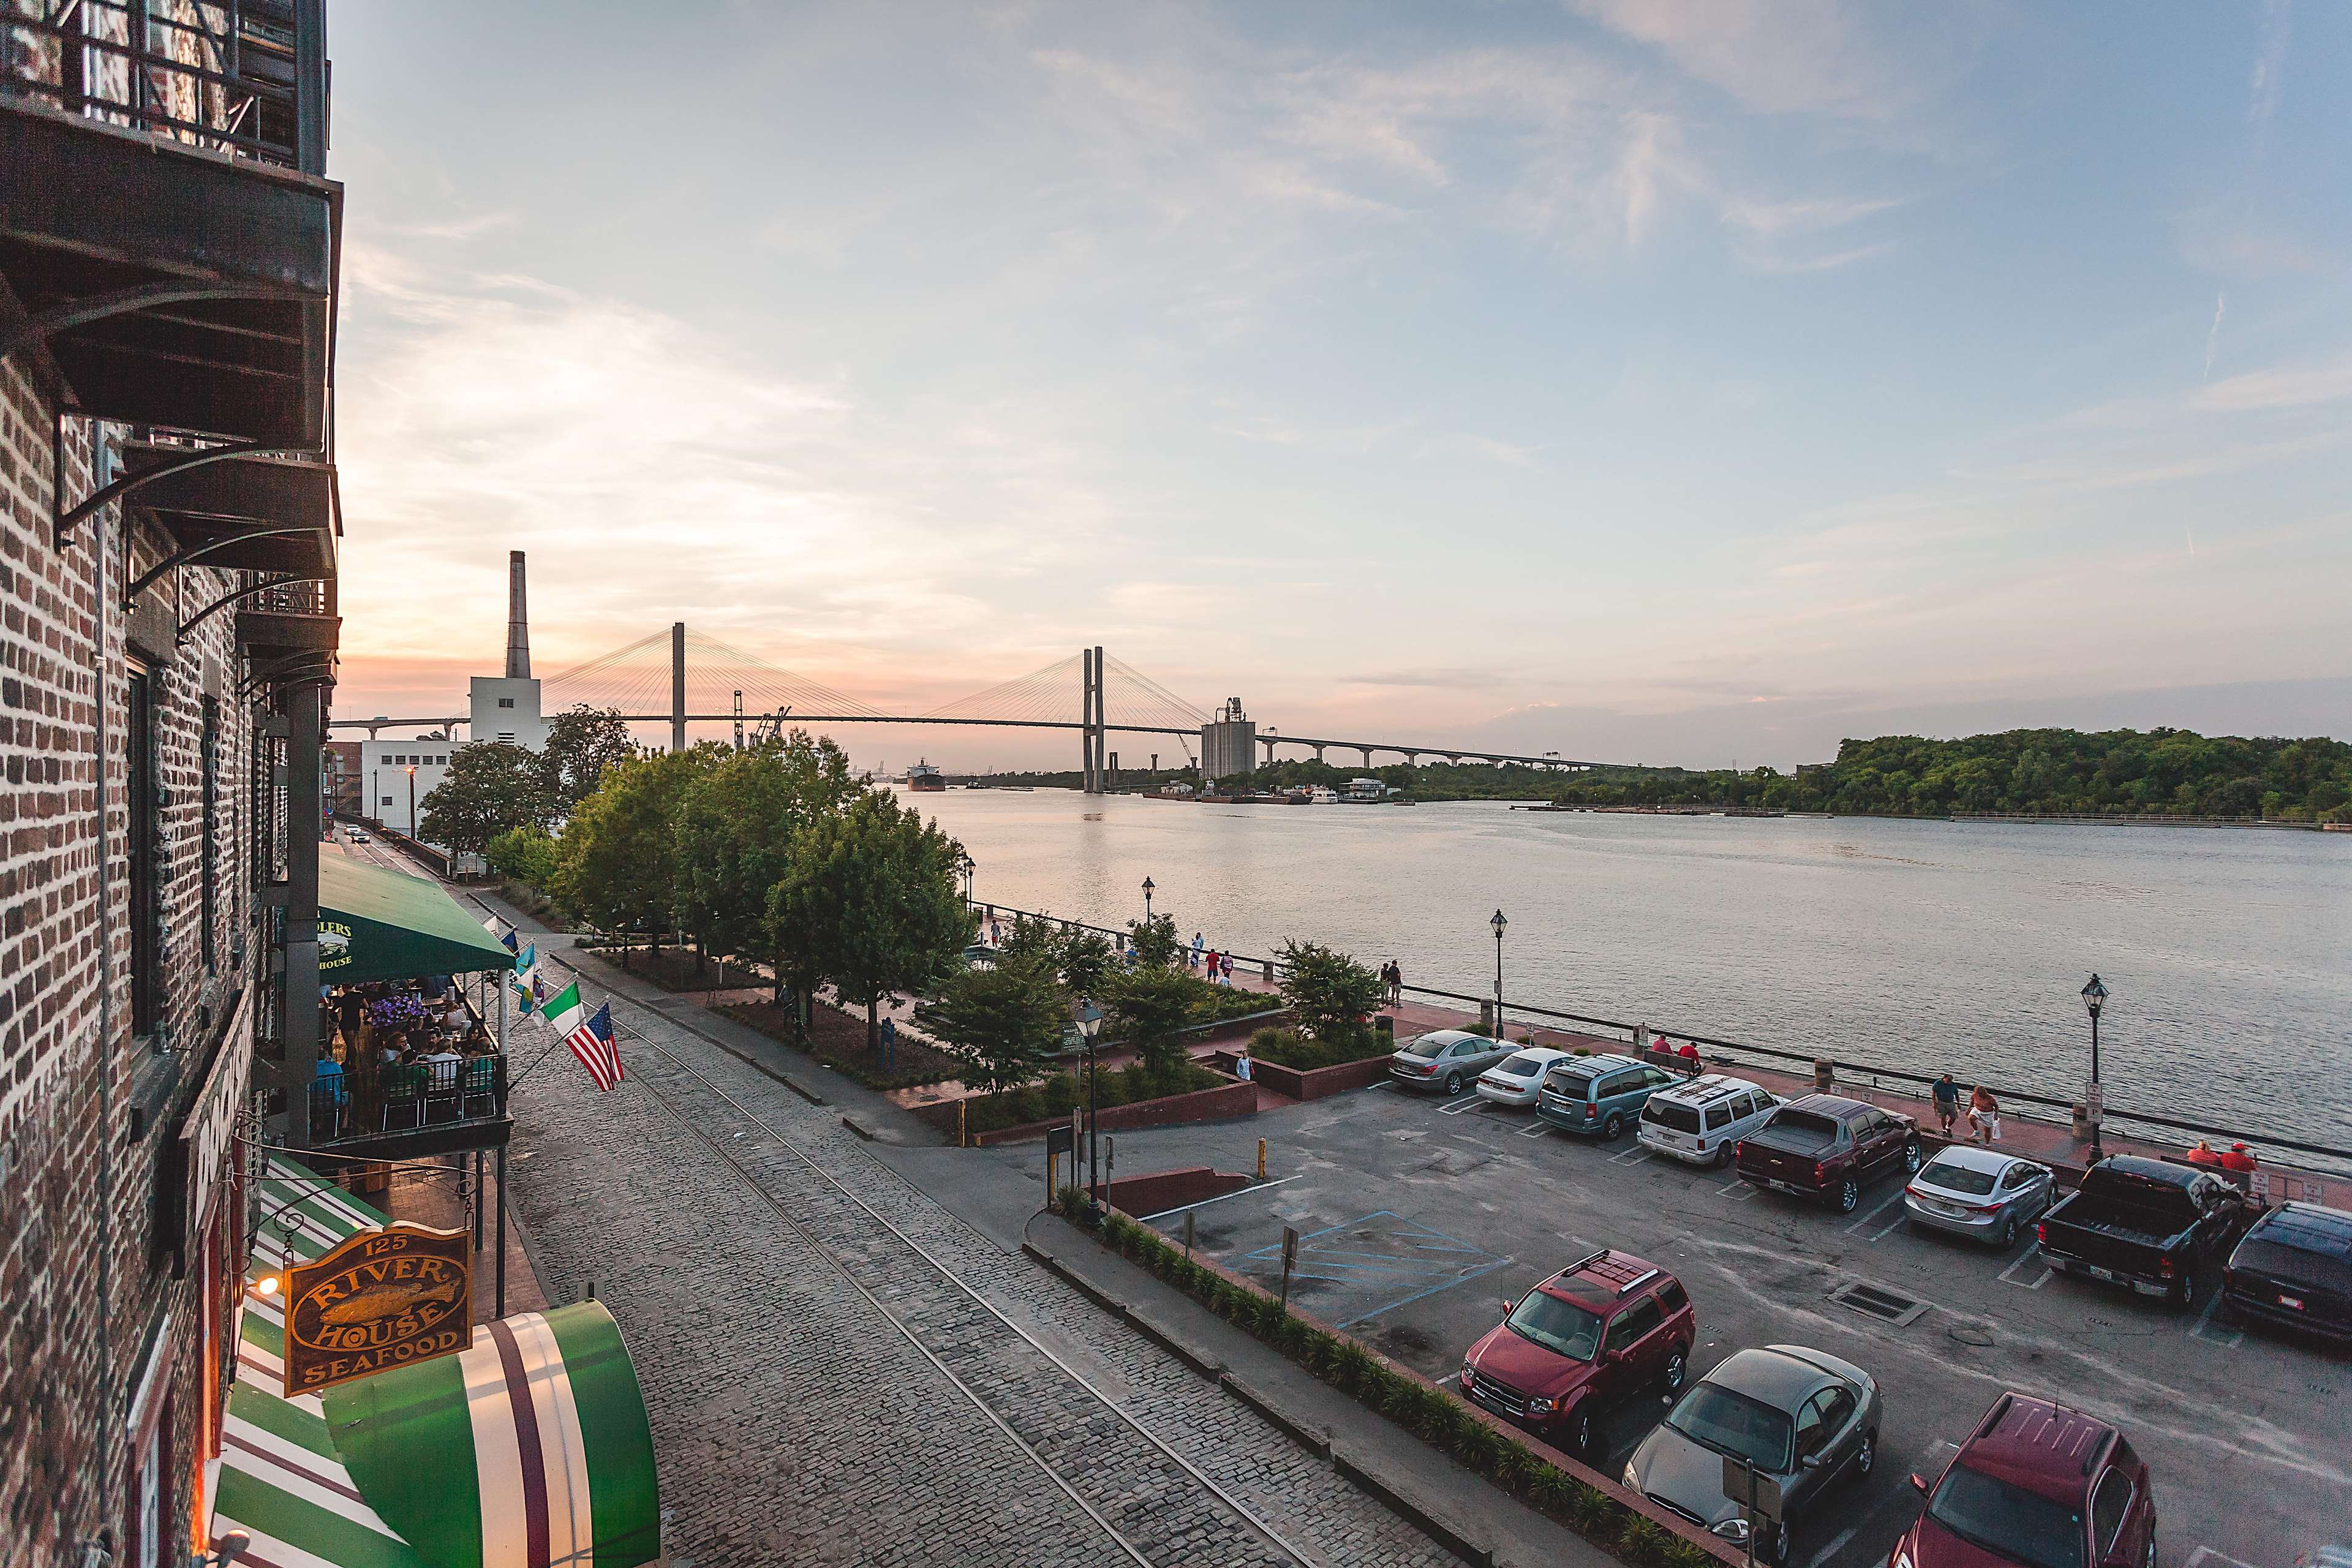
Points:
(1582, 1341)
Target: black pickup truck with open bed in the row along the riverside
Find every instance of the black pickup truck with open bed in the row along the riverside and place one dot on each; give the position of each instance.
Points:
(2146, 1224)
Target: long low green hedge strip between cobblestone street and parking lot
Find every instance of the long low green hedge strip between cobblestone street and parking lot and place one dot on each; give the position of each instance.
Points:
(1426, 1412)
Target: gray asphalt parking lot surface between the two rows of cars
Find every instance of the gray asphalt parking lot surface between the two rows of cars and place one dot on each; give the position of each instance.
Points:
(1419, 1214)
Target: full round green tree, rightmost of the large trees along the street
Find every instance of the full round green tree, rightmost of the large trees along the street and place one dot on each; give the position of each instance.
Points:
(871, 904)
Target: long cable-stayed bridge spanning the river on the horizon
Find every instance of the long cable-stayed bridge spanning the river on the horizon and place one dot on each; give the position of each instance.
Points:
(683, 678)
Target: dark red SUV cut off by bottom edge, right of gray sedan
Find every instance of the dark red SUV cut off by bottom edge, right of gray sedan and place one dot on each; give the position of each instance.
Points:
(2040, 1487)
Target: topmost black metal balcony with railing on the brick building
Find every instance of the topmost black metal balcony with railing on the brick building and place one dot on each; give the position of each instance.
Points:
(166, 229)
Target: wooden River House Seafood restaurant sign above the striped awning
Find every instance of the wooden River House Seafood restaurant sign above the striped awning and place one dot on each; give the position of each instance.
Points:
(382, 1299)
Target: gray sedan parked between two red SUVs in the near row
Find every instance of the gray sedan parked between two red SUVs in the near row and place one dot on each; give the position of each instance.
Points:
(1800, 1416)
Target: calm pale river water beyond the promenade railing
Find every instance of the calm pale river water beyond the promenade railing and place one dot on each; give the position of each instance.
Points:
(1923, 946)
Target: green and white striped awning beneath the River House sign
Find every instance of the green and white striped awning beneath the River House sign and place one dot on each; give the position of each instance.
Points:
(526, 1452)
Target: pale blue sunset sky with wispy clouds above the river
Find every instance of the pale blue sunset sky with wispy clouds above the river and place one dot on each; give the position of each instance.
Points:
(1641, 380)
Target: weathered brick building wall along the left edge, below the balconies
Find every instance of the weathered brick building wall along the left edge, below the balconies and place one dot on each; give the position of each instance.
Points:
(100, 1358)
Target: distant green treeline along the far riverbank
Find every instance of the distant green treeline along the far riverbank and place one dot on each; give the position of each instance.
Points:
(2031, 772)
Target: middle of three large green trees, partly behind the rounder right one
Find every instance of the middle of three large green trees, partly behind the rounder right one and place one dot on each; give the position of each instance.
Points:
(735, 833)
